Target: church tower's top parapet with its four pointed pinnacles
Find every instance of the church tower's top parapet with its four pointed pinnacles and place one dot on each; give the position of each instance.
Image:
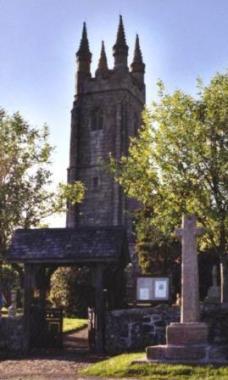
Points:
(119, 76)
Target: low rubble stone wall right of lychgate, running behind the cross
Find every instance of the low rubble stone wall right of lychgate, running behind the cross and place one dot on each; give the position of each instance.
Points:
(134, 329)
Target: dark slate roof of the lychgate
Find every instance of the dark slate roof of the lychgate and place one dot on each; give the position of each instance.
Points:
(69, 245)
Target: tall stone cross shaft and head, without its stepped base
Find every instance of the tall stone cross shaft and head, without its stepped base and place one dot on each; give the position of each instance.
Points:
(189, 268)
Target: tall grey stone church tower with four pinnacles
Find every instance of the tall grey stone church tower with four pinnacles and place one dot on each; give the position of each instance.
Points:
(106, 112)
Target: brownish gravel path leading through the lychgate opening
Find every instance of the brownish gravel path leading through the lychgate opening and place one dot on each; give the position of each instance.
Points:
(57, 365)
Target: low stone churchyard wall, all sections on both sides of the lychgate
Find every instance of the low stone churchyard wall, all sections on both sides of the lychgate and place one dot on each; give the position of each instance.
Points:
(131, 329)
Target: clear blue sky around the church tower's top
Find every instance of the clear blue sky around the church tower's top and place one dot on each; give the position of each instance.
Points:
(180, 40)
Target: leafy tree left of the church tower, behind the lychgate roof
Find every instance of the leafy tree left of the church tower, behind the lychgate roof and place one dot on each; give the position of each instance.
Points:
(25, 178)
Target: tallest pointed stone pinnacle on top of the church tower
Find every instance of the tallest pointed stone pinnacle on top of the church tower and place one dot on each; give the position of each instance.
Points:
(120, 49)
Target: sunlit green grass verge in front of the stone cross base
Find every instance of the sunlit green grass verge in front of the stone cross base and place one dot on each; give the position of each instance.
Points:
(120, 366)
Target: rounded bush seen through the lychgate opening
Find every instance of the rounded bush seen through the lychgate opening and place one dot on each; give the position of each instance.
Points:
(70, 290)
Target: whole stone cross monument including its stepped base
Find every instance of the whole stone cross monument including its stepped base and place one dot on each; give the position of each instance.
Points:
(187, 340)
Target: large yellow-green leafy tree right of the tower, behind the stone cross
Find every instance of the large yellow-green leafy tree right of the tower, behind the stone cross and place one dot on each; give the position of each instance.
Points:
(178, 164)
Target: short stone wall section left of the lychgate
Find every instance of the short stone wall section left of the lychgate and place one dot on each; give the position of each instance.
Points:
(11, 335)
